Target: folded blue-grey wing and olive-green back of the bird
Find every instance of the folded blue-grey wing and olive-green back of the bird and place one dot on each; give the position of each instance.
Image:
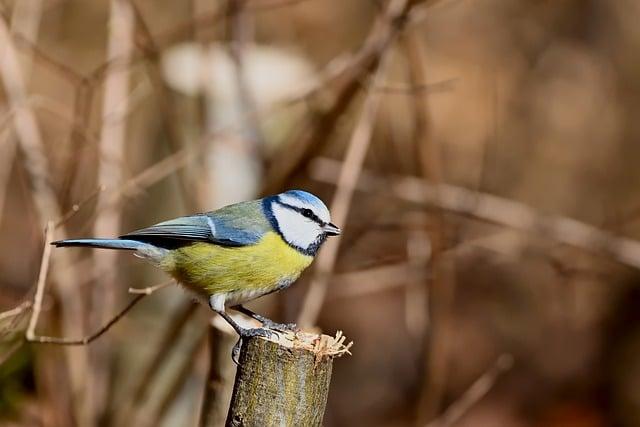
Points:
(236, 225)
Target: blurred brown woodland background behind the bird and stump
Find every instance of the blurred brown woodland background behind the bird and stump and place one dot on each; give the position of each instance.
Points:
(481, 157)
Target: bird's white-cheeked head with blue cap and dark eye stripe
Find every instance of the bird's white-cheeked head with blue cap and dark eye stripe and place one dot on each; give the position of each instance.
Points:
(301, 219)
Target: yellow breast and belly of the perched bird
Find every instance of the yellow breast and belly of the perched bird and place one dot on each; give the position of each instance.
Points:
(209, 269)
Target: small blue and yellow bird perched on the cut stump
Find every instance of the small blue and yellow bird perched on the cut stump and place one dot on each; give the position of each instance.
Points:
(235, 254)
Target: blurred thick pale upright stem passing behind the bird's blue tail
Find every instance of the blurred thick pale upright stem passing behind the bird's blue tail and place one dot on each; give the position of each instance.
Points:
(110, 165)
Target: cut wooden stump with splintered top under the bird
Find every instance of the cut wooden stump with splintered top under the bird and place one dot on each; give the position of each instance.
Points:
(284, 382)
